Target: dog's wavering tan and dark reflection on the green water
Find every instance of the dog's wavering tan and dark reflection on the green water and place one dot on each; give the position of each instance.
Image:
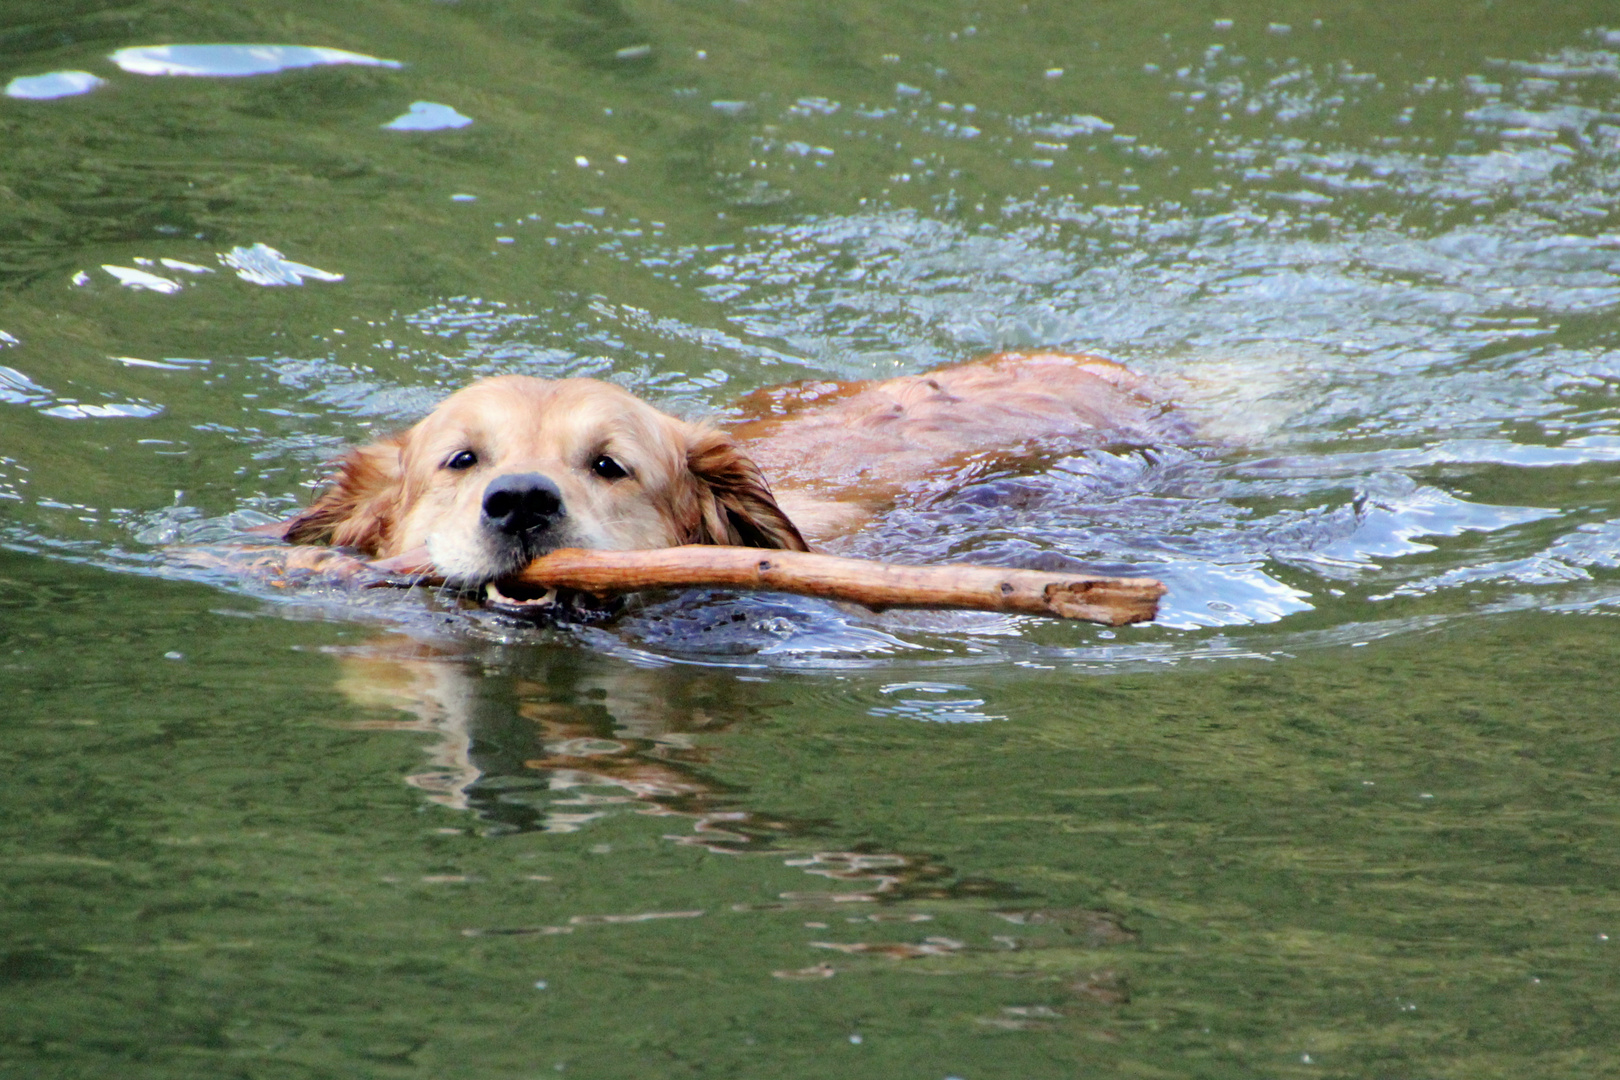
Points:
(556, 747)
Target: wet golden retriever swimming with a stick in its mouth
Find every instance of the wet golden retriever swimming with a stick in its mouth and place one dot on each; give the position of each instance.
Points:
(514, 467)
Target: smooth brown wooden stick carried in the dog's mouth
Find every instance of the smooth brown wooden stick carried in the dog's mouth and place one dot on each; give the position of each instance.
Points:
(879, 585)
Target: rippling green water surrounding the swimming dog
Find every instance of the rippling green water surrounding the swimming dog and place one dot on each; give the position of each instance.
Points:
(1349, 812)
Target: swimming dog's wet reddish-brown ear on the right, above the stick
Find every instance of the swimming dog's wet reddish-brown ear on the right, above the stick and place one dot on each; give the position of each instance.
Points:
(735, 503)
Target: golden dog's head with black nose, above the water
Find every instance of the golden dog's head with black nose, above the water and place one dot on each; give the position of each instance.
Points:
(514, 467)
